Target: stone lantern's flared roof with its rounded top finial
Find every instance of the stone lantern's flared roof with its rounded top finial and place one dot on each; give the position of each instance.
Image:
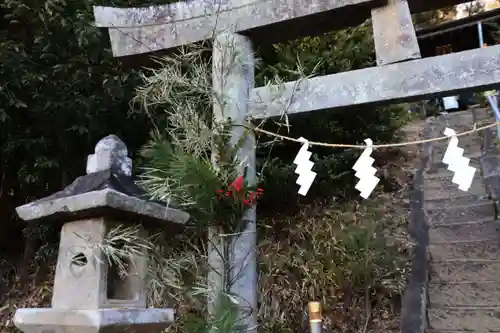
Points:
(107, 189)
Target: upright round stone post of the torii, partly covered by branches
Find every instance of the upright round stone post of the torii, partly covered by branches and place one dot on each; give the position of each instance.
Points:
(233, 78)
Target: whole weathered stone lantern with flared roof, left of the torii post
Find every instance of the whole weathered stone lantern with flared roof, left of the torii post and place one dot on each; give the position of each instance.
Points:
(89, 295)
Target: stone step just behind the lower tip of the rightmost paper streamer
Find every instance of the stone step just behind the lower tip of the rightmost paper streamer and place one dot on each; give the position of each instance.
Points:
(449, 190)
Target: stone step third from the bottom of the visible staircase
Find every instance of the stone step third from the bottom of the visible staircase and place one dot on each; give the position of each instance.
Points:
(465, 270)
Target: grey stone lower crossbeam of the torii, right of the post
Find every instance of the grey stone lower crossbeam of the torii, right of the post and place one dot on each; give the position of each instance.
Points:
(406, 81)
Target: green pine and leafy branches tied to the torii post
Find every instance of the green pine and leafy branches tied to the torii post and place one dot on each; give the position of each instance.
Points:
(179, 160)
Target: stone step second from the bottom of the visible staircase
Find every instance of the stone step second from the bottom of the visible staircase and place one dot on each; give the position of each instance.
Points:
(464, 293)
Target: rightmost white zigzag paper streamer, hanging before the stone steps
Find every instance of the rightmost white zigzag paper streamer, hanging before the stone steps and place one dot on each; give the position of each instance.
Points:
(457, 163)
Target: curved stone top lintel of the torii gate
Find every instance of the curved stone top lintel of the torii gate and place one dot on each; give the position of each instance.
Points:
(142, 30)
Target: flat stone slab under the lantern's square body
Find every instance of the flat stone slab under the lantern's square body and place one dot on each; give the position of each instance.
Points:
(48, 320)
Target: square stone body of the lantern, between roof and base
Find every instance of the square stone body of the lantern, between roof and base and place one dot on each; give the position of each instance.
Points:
(85, 271)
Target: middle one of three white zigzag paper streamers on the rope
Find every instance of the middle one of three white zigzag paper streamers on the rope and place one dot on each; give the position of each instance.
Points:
(365, 171)
